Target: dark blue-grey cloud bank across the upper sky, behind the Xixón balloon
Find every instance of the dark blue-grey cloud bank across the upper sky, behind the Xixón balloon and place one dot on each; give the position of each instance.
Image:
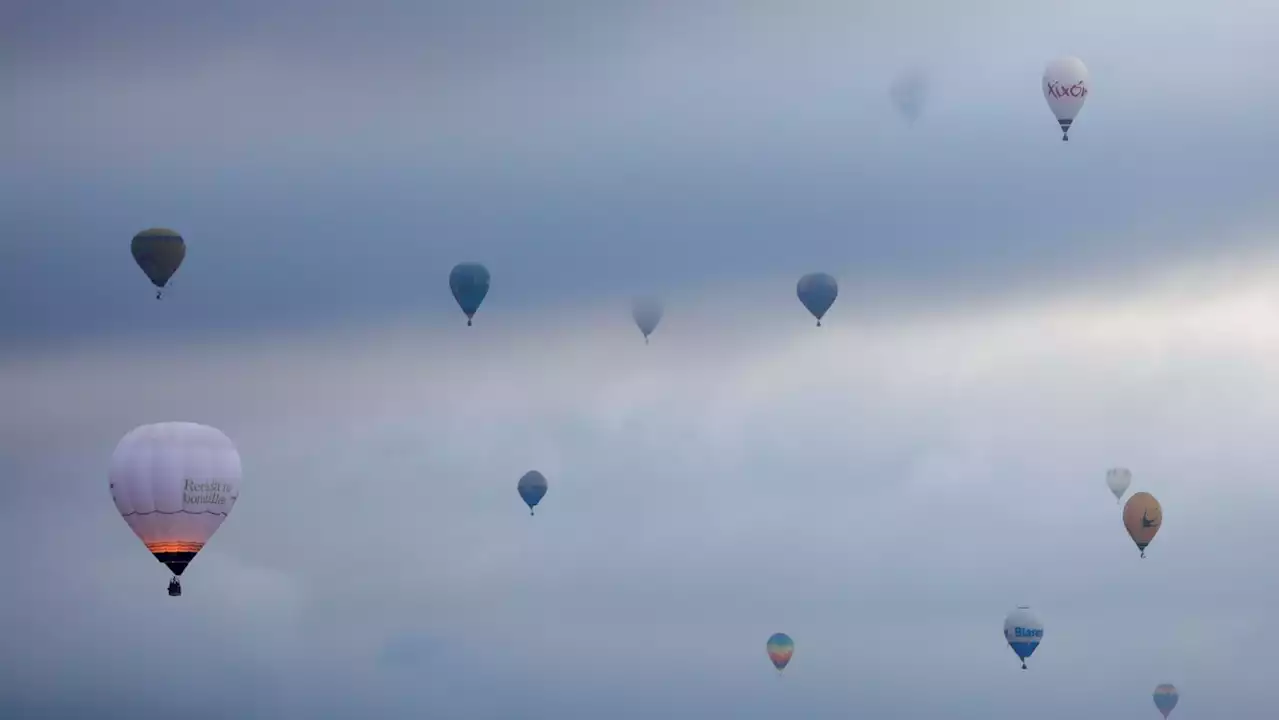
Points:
(670, 151)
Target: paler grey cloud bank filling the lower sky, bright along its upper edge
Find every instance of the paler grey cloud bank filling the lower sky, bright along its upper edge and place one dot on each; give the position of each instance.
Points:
(848, 486)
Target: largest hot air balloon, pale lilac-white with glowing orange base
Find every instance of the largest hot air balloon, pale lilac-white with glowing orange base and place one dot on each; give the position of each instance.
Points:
(175, 484)
